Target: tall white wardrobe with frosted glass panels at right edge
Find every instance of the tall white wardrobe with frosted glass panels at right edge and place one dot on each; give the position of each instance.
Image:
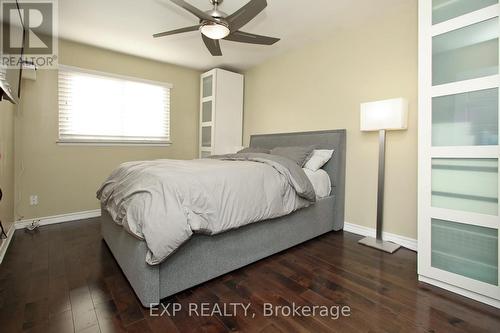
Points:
(458, 145)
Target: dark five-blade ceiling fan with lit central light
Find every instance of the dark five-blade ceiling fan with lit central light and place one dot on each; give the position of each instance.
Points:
(215, 25)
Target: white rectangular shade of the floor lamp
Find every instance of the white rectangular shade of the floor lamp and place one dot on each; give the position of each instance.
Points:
(390, 114)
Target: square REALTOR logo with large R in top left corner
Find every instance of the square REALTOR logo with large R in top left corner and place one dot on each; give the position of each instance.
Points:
(29, 28)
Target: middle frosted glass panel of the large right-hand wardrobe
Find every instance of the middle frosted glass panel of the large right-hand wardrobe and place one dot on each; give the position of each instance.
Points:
(469, 119)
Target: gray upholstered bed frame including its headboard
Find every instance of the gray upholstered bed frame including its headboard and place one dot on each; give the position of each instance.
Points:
(205, 257)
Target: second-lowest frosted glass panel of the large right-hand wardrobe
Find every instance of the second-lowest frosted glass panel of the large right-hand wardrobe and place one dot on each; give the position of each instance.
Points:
(465, 184)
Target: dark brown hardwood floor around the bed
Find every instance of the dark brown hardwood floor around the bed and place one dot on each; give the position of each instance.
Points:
(63, 278)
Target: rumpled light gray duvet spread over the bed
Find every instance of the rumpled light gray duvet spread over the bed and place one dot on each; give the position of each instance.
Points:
(165, 201)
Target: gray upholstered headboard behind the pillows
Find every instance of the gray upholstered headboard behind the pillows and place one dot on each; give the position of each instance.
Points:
(334, 139)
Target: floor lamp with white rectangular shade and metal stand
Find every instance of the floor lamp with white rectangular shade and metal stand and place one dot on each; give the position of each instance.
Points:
(382, 116)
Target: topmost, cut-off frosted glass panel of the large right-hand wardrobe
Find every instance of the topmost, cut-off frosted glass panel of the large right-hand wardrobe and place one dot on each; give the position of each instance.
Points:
(443, 10)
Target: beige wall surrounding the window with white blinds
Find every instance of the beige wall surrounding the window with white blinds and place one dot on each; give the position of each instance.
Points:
(66, 177)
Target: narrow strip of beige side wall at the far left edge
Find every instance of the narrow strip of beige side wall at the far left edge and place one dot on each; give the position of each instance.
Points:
(7, 163)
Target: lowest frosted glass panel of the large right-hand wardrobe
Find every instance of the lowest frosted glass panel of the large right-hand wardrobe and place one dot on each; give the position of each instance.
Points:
(467, 250)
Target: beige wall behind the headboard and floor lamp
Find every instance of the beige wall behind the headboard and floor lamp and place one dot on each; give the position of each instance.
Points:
(321, 86)
